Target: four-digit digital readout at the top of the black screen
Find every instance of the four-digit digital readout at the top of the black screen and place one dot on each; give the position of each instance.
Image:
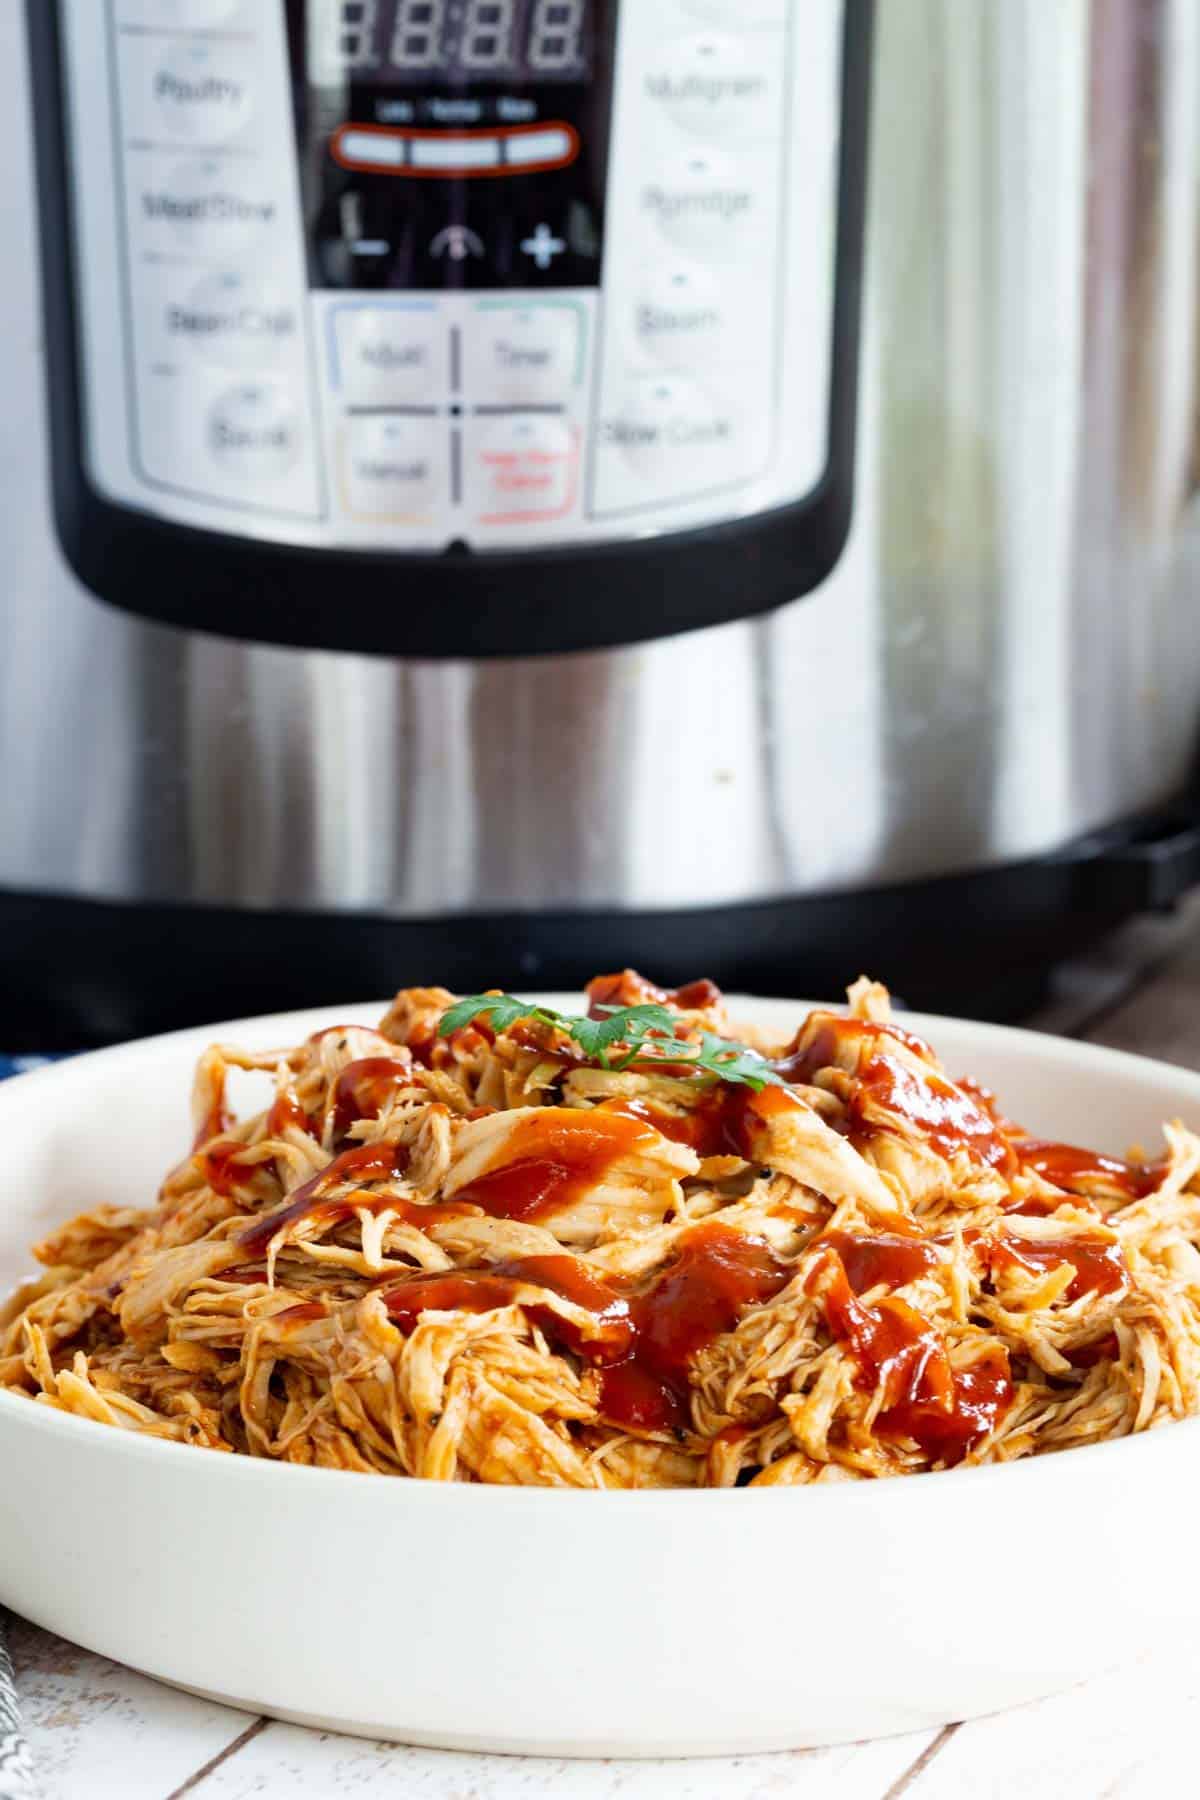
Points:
(452, 42)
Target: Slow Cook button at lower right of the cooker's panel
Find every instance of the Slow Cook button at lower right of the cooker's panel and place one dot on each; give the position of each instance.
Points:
(677, 436)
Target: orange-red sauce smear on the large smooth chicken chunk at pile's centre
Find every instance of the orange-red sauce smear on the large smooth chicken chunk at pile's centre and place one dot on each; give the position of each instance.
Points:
(555, 1156)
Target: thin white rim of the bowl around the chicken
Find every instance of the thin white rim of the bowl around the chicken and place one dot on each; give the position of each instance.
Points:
(139, 1446)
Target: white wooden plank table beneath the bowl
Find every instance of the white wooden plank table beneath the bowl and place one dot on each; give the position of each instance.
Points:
(100, 1731)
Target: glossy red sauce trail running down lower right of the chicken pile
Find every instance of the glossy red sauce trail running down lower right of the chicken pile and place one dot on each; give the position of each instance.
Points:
(926, 1399)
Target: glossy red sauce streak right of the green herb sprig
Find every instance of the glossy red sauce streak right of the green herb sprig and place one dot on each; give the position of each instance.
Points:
(949, 1119)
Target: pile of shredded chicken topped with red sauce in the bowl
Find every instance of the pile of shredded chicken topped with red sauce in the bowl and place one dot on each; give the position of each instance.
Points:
(490, 1257)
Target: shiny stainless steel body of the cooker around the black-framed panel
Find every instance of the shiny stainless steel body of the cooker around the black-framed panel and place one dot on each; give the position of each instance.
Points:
(1007, 656)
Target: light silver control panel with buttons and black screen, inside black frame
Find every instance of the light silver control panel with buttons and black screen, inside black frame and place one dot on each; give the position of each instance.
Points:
(407, 274)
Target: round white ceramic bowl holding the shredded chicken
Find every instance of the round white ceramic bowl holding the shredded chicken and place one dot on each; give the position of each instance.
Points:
(578, 1623)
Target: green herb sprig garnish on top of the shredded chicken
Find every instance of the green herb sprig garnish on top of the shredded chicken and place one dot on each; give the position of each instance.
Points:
(622, 1038)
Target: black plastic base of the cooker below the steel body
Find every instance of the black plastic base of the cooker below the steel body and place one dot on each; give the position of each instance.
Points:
(80, 973)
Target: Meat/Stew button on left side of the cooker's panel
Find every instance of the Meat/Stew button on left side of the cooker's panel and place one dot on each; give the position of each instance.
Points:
(199, 208)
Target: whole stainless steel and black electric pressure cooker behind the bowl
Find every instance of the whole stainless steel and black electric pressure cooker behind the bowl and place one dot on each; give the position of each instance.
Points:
(505, 489)
